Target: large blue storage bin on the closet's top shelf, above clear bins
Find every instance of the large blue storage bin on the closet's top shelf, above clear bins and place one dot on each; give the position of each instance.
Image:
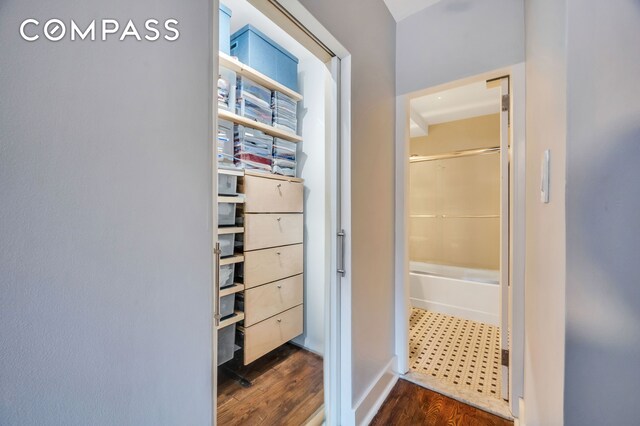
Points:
(255, 49)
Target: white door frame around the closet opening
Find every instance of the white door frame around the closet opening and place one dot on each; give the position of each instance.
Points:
(337, 351)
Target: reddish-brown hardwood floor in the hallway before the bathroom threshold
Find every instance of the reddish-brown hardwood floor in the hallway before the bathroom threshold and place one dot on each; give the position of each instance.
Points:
(410, 404)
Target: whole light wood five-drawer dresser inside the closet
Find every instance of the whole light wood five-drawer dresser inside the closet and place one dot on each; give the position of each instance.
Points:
(273, 262)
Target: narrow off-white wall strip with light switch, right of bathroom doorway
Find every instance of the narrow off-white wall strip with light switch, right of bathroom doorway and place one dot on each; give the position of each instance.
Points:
(545, 223)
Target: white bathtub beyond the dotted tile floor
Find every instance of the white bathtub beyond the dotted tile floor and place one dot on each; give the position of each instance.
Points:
(472, 294)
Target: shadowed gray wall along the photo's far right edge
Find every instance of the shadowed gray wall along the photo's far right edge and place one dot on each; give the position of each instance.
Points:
(603, 204)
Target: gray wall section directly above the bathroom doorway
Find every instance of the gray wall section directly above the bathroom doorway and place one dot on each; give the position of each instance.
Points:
(454, 39)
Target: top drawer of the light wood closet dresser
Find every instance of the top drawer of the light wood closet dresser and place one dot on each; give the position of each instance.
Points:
(265, 195)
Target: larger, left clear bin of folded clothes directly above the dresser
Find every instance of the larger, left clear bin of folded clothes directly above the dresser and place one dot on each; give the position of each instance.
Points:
(252, 149)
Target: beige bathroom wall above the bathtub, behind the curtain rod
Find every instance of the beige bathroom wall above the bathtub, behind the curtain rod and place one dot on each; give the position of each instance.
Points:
(466, 186)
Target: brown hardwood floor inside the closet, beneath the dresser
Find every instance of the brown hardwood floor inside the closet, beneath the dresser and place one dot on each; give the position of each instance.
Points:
(287, 389)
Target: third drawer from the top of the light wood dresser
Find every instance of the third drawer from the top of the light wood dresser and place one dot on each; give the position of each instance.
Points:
(265, 266)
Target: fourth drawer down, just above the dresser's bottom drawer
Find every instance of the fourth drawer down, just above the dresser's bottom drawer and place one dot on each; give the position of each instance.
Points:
(270, 299)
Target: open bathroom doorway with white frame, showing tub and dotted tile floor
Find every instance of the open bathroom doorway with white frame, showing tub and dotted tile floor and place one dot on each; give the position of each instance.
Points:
(456, 186)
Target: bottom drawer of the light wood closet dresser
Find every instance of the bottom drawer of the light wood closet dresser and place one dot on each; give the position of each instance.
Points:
(267, 335)
